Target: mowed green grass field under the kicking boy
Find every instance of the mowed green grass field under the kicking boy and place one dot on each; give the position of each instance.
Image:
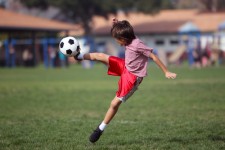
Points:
(59, 108)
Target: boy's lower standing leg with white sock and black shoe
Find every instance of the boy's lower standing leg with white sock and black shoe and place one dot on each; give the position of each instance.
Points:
(108, 117)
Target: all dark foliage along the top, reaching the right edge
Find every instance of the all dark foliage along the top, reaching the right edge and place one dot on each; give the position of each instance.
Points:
(81, 12)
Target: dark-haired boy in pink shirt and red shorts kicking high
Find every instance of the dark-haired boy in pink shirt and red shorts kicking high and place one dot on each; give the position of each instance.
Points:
(132, 70)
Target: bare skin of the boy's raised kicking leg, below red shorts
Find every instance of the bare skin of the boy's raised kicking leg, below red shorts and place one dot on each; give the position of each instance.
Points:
(104, 58)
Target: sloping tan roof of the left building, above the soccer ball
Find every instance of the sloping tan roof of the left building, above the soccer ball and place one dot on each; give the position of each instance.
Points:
(16, 21)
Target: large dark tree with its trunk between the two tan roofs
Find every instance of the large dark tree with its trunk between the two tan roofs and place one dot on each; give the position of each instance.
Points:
(82, 11)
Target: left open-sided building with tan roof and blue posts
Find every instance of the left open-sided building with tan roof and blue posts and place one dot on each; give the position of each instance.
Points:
(19, 32)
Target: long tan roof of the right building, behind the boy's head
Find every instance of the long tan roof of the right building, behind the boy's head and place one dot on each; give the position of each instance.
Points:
(166, 21)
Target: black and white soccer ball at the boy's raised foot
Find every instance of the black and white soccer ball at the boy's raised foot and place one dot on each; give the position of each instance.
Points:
(69, 46)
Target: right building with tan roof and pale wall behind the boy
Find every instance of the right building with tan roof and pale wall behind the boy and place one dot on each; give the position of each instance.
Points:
(168, 31)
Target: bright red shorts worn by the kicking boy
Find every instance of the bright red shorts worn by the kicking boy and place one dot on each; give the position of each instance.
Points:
(128, 82)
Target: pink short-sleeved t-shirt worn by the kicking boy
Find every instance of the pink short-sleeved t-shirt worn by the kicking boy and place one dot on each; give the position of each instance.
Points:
(136, 57)
